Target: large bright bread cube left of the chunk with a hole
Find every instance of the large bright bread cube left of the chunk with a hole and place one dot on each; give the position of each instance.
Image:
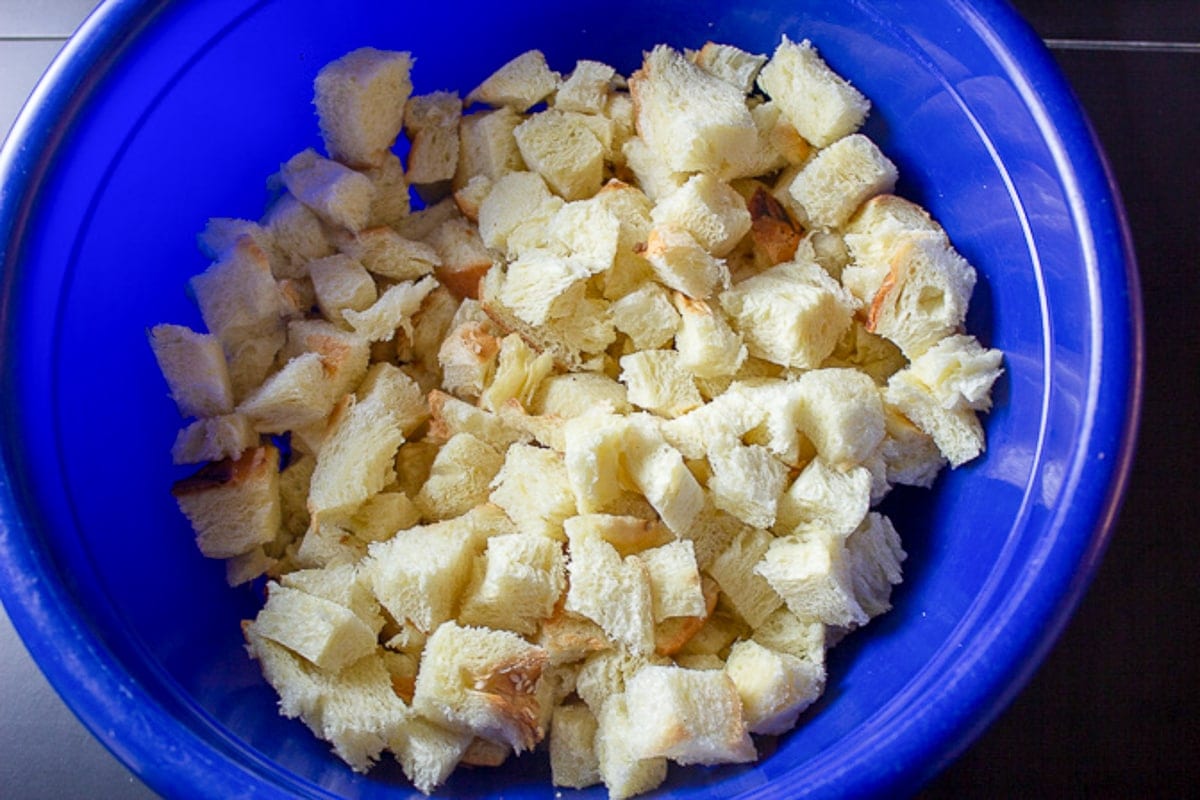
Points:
(791, 315)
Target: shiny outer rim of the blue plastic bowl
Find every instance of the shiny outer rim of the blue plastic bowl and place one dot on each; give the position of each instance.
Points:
(91, 679)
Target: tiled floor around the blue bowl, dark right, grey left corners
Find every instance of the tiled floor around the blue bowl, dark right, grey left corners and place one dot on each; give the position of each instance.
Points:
(1113, 711)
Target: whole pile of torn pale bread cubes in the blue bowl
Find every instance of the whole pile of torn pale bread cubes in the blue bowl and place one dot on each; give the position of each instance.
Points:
(579, 453)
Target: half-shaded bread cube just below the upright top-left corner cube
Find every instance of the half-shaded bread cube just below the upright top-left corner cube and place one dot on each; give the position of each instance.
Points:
(333, 191)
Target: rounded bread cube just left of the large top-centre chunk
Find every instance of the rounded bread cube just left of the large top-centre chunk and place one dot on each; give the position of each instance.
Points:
(565, 151)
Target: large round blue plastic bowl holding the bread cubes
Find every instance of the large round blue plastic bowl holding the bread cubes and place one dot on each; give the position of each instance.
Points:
(161, 115)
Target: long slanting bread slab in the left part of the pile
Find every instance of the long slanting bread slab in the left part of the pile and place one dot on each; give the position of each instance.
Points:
(357, 459)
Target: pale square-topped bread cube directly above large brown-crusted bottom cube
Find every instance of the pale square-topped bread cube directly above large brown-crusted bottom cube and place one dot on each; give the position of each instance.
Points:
(517, 584)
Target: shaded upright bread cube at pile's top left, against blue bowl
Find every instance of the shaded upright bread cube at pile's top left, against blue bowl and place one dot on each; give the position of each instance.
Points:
(361, 104)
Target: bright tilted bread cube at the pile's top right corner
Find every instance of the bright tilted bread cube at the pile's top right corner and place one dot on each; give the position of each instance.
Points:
(820, 104)
